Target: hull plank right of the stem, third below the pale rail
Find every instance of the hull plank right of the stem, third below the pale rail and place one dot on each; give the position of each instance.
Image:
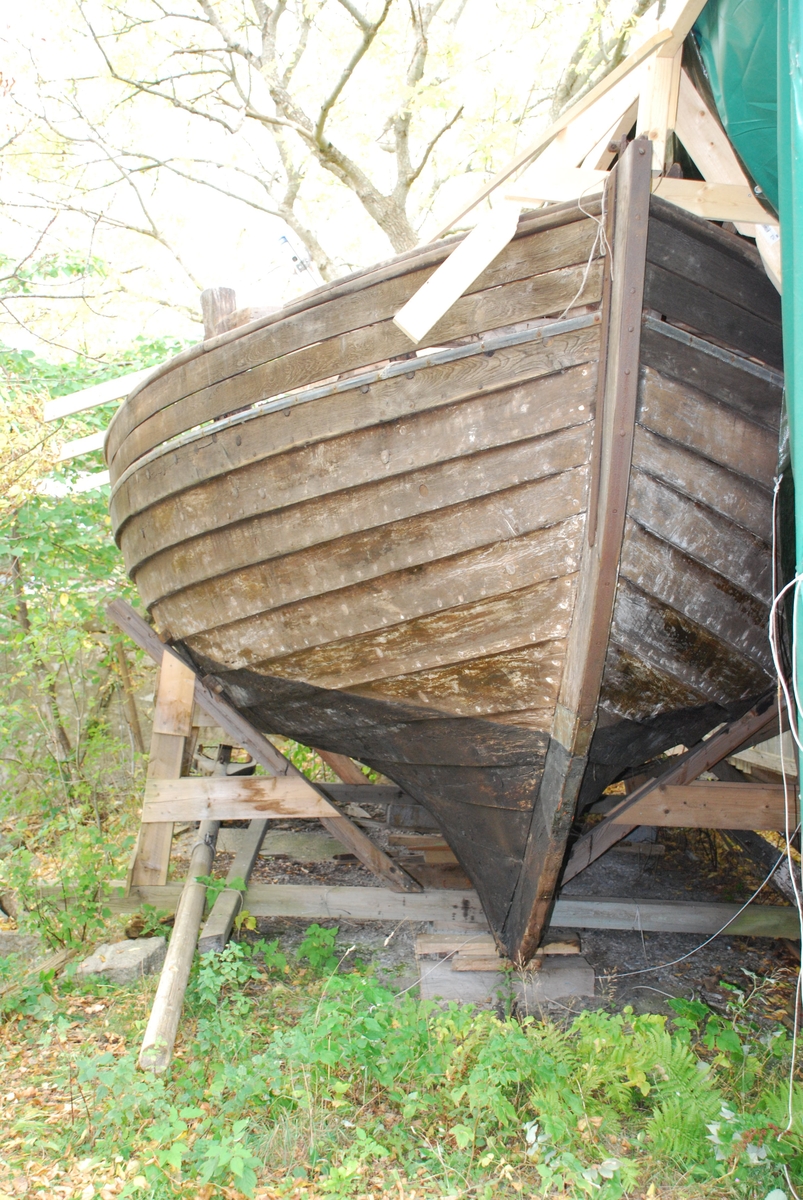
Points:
(722, 490)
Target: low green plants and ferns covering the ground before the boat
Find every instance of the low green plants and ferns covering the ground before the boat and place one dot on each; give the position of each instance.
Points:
(286, 1077)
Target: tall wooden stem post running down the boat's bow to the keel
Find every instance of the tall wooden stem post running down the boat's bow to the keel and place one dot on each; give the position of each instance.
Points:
(576, 713)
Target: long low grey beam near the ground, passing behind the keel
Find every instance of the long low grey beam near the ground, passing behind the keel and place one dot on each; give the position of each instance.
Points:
(464, 910)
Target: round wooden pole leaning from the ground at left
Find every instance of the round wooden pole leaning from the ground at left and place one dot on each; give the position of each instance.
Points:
(157, 1053)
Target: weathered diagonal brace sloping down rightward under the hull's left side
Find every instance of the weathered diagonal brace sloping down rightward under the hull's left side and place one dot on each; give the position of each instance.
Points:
(263, 752)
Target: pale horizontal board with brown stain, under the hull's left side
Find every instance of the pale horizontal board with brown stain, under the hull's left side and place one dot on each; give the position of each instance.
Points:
(232, 799)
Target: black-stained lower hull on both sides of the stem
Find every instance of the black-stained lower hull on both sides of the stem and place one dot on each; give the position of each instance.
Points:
(480, 779)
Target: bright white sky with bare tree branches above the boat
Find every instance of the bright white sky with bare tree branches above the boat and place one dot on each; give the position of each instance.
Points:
(153, 148)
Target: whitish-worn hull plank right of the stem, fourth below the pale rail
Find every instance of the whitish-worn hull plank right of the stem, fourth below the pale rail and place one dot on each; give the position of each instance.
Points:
(703, 536)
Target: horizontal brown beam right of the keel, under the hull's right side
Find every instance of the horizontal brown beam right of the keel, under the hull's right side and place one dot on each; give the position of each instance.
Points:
(704, 806)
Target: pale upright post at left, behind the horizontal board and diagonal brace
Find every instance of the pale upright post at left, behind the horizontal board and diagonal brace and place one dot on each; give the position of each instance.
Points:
(172, 724)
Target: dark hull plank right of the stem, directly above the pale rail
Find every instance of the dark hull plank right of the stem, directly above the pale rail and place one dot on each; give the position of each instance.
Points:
(693, 307)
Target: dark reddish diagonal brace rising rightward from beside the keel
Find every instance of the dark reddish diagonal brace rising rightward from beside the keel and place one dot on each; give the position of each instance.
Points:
(686, 769)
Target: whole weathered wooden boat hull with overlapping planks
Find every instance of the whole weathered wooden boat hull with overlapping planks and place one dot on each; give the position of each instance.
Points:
(502, 573)
